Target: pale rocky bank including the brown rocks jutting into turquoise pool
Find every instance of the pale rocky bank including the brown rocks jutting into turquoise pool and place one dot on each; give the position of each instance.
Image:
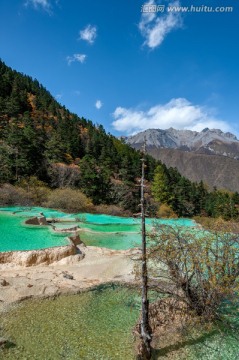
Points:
(60, 270)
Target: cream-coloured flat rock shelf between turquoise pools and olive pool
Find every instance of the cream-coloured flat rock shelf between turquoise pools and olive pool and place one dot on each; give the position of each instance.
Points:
(90, 266)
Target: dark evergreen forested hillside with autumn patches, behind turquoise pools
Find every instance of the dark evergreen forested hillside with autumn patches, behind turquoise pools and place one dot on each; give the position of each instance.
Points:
(41, 140)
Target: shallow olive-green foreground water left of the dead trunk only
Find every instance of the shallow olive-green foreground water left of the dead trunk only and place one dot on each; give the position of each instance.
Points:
(93, 325)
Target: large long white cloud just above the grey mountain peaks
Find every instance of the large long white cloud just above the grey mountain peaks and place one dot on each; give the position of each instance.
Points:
(177, 113)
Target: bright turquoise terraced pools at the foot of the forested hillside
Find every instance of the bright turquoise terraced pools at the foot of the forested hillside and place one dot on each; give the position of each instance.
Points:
(98, 230)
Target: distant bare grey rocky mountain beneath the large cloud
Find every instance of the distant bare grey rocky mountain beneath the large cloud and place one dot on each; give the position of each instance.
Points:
(210, 155)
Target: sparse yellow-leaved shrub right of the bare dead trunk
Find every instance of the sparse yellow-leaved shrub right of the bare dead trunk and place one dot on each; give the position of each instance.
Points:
(202, 267)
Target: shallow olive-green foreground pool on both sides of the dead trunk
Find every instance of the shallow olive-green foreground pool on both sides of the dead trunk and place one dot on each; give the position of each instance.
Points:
(98, 325)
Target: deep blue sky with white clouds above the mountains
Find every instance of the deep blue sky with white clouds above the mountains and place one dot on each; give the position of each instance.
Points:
(130, 67)
